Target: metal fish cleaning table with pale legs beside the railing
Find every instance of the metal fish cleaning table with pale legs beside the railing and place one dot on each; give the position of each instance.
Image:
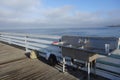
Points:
(86, 49)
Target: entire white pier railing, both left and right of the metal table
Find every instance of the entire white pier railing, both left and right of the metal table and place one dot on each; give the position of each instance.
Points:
(108, 67)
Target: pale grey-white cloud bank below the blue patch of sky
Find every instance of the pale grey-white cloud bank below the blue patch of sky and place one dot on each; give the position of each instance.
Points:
(32, 14)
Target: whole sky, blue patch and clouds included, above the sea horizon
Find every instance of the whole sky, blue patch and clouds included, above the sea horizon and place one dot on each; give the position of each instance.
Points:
(58, 13)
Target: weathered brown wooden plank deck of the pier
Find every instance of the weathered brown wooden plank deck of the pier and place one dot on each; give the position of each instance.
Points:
(14, 65)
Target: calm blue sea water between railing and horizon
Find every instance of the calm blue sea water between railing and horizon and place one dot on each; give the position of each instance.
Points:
(101, 31)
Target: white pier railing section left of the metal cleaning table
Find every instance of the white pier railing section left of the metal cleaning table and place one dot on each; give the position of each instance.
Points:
(30, 41)
